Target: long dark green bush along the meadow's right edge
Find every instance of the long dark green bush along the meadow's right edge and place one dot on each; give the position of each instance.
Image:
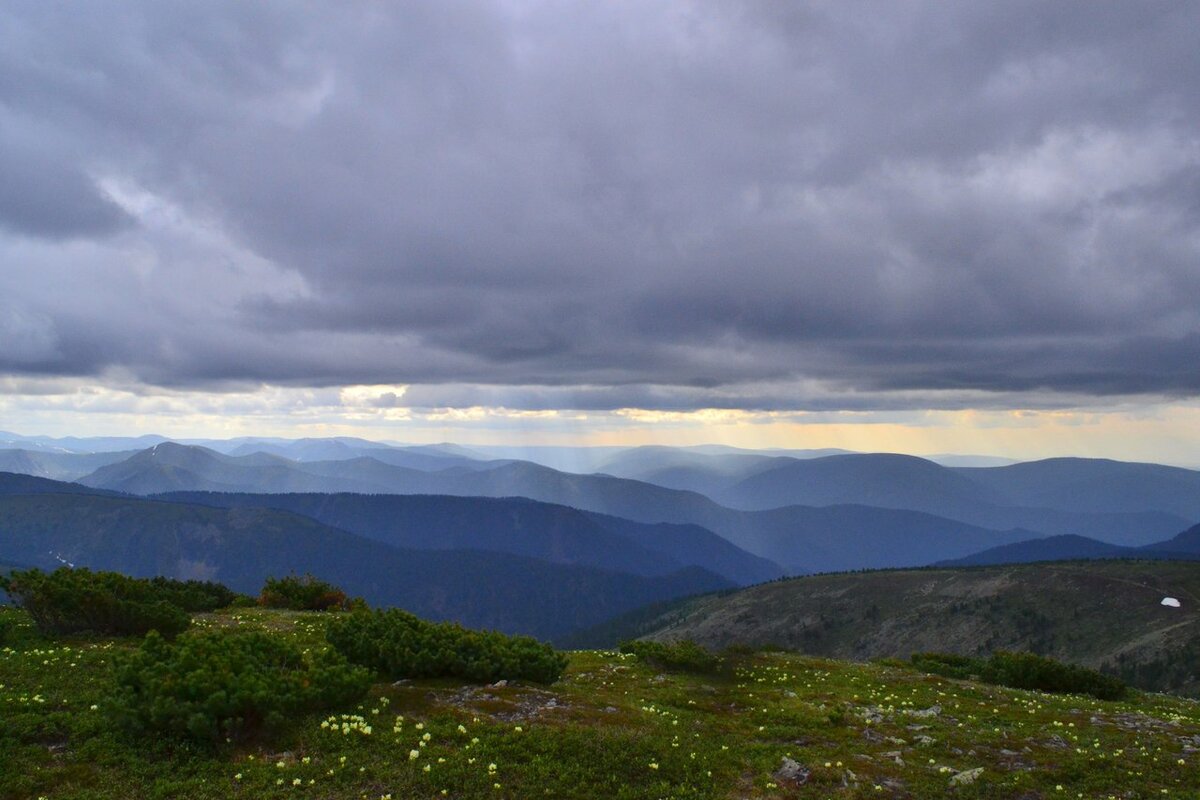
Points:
(1024, 671)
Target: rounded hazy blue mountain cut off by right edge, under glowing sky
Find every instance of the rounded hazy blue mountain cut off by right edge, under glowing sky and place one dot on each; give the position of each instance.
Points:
(1095, 485)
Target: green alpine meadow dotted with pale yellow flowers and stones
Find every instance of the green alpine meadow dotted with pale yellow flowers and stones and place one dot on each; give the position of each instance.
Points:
(614, 727)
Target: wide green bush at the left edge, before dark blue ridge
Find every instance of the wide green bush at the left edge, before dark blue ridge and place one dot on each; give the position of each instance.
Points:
(76, 601)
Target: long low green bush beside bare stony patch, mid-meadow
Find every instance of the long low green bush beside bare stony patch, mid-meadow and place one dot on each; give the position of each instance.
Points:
(398, 645)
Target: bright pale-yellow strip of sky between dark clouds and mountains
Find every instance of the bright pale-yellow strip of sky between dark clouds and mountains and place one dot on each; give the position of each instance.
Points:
(1168, 432)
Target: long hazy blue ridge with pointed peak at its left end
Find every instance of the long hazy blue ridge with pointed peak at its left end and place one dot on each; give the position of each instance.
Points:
(800, 539)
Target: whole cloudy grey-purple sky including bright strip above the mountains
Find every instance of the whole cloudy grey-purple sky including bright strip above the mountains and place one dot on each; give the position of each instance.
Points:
(923, 227)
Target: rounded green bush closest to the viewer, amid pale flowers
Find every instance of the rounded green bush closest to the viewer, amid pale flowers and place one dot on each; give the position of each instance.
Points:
(227, 685)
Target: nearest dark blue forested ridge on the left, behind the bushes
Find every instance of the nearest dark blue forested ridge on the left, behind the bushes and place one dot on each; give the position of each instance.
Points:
(242, 548)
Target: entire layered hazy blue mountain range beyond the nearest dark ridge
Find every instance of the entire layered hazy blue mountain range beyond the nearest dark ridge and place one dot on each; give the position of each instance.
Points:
(745, 515)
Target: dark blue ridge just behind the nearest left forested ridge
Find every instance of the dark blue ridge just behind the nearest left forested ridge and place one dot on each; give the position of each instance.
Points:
(554, 533)
